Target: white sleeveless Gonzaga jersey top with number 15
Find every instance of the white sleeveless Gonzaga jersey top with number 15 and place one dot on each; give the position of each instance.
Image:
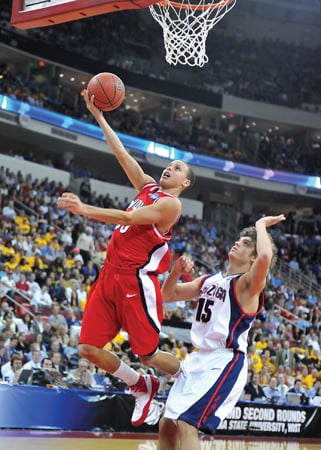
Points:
(219, 320)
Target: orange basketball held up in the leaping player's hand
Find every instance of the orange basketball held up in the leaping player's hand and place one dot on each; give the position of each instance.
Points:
(108, 89)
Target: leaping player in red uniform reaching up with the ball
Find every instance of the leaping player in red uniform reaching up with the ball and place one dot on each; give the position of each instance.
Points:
(127, 293)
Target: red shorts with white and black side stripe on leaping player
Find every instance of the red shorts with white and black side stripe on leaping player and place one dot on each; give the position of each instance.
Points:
(128, 300)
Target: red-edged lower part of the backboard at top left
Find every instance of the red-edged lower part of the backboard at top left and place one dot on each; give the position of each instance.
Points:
(28, 14)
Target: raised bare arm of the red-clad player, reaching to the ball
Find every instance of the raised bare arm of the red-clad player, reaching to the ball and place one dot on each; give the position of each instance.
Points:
(133, 170)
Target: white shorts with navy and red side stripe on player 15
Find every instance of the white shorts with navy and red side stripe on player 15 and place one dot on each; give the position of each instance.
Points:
(207, 388)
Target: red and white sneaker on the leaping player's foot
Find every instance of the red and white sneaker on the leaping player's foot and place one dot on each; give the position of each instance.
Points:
(144, 391)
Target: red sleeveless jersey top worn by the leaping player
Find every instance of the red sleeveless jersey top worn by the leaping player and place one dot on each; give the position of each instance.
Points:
(141, 246)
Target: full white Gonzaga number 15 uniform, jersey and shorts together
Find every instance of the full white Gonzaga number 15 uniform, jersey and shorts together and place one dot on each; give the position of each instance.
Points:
(212, 379)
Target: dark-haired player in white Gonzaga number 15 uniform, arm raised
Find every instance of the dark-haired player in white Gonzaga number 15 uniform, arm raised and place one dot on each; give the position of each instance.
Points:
(213, 377)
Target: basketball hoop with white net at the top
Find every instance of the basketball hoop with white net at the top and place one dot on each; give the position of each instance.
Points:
(186, 26)
